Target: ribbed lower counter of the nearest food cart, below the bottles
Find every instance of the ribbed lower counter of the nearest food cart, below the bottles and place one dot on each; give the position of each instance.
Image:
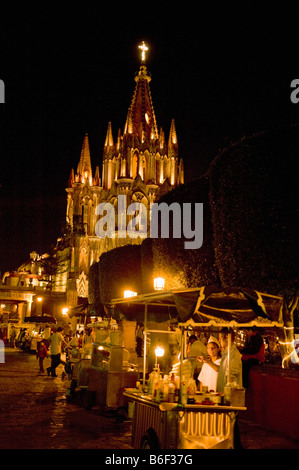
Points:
(174, 426)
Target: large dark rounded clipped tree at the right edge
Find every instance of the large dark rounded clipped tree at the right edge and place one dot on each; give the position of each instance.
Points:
(255, 211)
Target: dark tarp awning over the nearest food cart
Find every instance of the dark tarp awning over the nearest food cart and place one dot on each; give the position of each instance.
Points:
(206, 306)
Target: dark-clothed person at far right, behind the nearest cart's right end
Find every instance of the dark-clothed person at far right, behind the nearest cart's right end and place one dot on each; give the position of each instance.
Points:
(253, 353)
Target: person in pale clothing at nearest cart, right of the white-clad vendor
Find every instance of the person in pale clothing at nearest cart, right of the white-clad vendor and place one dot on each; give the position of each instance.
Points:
(235, 362)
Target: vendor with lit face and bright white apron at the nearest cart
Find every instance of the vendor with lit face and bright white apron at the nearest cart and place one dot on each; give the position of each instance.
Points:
(209, 372)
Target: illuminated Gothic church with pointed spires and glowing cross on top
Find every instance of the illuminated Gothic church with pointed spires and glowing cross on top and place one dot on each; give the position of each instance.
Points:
(140, 164)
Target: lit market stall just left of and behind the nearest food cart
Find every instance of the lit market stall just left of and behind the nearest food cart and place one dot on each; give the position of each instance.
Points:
(100, 369)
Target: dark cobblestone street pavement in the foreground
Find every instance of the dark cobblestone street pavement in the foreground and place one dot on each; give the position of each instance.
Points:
(36, 415)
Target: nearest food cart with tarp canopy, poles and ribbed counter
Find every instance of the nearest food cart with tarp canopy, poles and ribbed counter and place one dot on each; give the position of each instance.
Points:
(204, 422)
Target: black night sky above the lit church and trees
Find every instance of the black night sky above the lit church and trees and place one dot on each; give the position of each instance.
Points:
(69, 69)
